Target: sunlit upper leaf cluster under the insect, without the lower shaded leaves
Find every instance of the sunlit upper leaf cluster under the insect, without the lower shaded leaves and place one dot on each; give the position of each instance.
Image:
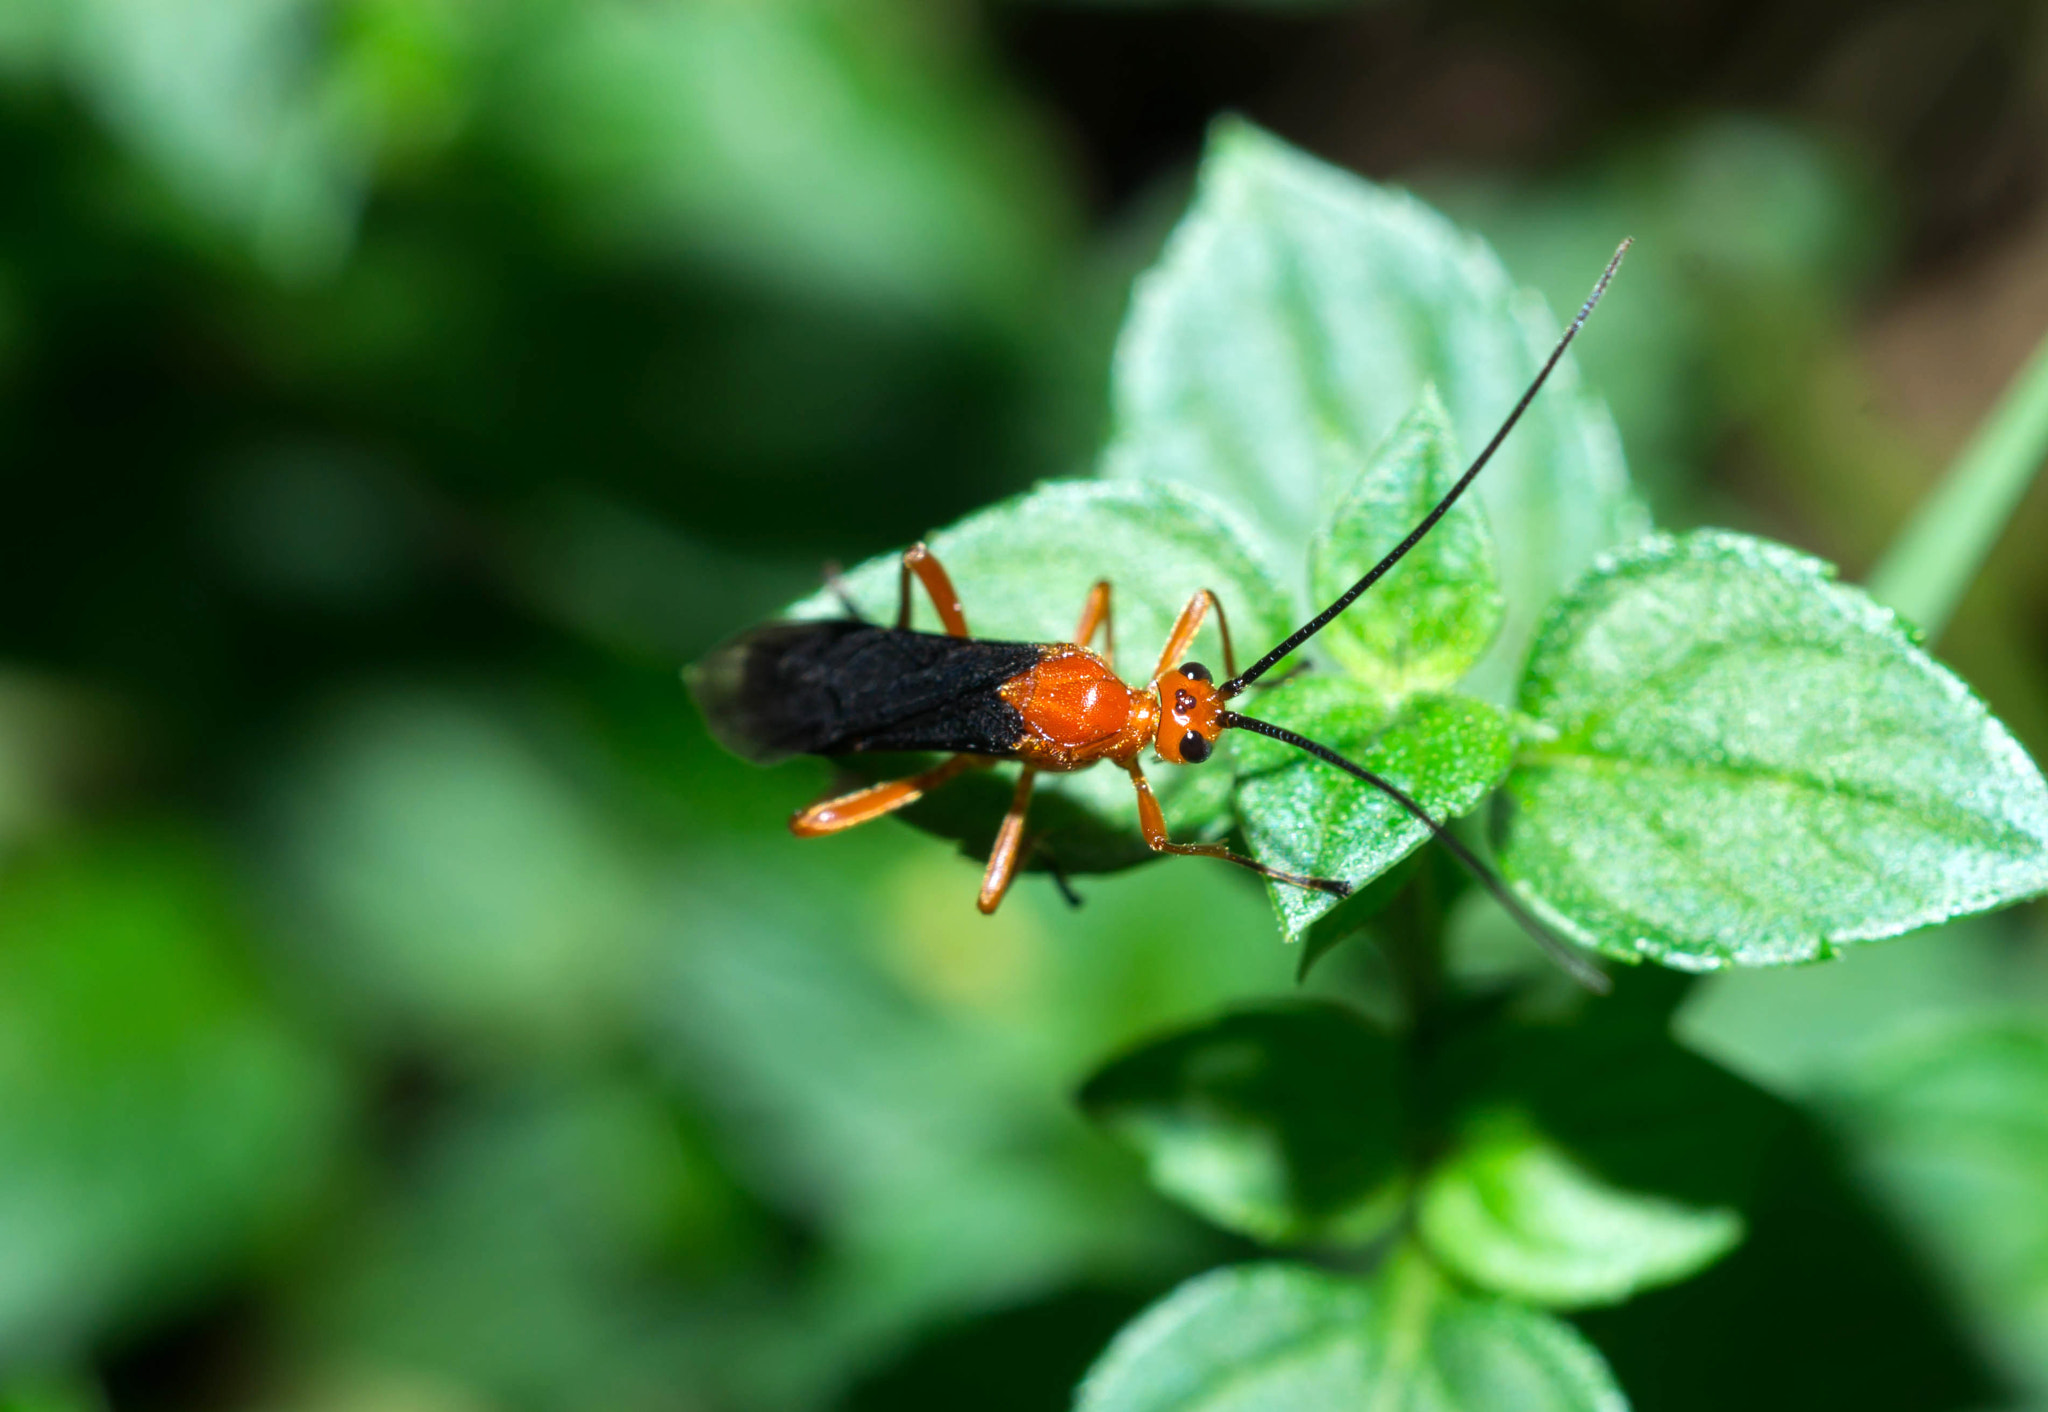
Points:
(1705, 751)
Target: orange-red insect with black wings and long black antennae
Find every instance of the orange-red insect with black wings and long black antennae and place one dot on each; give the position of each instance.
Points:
(843, 688)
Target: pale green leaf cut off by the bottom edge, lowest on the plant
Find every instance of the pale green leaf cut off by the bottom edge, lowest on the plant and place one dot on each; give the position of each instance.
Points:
(1289, 1339)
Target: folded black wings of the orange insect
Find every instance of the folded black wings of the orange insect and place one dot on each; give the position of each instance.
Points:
(843, 688)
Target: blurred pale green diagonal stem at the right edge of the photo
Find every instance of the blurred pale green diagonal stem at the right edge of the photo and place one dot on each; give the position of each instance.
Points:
(1945, 544)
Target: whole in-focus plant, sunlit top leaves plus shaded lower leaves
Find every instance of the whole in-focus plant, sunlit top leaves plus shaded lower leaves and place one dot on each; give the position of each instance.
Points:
(1701, 751)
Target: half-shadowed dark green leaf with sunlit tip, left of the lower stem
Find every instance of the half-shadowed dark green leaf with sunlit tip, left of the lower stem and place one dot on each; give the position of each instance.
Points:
(1281, 1122)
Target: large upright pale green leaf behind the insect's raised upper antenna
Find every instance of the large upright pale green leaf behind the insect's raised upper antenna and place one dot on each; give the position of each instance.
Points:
(1297, 317)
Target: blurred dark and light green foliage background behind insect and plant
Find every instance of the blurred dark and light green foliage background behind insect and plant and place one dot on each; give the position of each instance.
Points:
(404, 1007)
